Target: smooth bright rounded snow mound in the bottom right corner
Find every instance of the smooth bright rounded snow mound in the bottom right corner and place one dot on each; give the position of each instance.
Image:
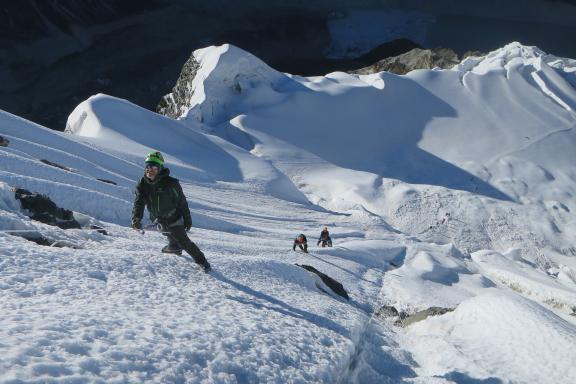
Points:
(496, 336)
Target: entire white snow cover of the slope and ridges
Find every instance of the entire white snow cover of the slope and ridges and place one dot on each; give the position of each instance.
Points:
(452, 189)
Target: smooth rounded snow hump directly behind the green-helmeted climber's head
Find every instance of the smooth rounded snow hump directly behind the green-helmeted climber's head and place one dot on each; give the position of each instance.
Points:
(129, 131)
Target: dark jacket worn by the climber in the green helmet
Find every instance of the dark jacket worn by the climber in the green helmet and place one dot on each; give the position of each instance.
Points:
(164, 199)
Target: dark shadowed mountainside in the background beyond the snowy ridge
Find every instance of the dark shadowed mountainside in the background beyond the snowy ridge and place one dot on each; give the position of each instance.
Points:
(54, 54)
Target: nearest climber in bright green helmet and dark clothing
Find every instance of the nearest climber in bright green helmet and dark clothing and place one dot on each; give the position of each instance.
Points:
(162, 195)
